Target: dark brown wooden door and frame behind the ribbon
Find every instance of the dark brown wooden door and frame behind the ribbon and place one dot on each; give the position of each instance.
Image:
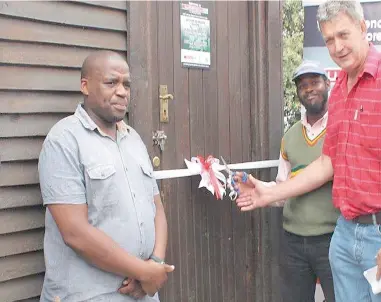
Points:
(223, 110)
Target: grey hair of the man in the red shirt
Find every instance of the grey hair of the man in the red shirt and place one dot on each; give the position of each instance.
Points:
(331, 8)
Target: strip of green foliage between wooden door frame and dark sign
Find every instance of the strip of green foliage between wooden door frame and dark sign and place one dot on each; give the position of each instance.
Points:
(293, 16)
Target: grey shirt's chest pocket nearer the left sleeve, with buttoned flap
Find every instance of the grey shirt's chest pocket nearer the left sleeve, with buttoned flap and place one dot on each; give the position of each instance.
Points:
(102, 189)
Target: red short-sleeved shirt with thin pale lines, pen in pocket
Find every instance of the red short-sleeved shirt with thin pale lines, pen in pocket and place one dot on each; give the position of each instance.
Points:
(353, 140)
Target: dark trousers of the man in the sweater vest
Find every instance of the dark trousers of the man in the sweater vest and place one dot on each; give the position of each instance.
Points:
(303, 260)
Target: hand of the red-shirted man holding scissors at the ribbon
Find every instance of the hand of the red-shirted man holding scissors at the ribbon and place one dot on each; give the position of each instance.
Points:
(252, 193)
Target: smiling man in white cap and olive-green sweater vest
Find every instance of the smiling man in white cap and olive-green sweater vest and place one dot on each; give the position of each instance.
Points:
(308, 220)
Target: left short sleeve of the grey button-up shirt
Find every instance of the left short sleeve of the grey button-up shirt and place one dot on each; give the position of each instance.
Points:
(61, 177)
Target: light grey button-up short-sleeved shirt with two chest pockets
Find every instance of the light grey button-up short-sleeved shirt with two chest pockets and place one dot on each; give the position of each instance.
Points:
(79, 164)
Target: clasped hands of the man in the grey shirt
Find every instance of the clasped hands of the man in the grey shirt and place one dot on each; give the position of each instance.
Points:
(155, 276)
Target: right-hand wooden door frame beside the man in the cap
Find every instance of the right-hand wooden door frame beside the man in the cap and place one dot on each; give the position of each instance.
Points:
(266, 131)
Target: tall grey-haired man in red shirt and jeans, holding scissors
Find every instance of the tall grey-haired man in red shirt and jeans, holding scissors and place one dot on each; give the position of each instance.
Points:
(351, 154)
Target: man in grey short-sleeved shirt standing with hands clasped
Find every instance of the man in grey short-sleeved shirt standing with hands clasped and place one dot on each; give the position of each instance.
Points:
(105, 225)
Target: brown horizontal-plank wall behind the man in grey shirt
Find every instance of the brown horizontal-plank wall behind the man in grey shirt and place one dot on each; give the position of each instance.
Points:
(42, 47)
